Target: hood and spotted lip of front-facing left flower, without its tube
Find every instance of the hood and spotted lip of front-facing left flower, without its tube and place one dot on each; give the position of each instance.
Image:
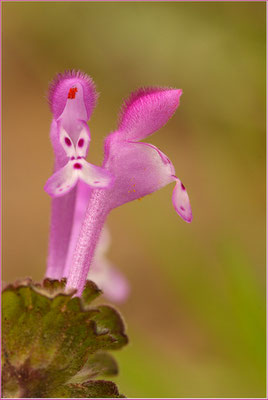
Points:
(73, 138)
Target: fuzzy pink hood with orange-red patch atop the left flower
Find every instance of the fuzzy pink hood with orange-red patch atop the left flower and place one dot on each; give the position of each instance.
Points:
(63, 93)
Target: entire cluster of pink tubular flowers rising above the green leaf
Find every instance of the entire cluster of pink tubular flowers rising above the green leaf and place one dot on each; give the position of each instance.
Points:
(83, 194)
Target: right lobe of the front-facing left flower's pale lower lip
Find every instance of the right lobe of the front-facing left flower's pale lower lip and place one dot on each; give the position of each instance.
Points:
(96, 177)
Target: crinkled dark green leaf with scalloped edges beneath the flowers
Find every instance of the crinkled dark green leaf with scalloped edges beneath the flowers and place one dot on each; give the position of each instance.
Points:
(54, 345)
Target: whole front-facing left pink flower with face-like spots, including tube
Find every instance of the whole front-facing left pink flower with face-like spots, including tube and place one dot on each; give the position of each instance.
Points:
(72, 98)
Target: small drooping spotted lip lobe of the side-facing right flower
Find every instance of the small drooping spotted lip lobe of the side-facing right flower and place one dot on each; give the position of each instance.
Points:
(181, 202)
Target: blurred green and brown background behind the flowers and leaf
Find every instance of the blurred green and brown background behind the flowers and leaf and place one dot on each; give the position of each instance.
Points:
(196, 314)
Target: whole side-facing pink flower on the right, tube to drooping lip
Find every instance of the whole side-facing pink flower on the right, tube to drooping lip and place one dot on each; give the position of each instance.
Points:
(138, 169)
